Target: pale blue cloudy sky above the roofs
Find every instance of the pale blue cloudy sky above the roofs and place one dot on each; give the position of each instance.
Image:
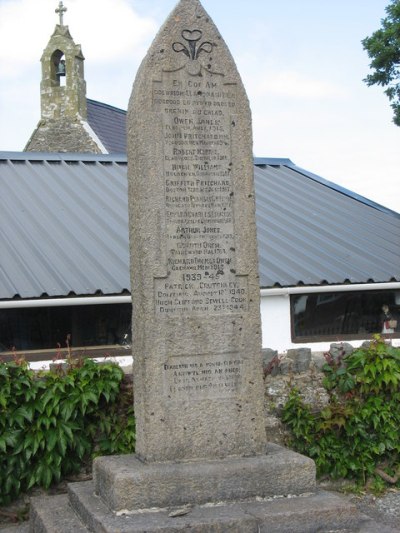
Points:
(301, 61)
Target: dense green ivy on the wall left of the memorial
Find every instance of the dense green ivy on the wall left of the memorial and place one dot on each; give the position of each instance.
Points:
(51, 424)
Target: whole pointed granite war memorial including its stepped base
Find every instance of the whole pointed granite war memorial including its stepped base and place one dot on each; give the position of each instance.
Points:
(201, 462)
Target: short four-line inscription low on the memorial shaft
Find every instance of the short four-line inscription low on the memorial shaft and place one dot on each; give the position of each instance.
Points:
(202, 377)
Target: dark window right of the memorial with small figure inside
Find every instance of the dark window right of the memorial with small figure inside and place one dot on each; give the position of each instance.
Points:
(343, 315)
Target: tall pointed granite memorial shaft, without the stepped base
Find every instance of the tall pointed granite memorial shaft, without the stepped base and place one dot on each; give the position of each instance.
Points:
(195, 286)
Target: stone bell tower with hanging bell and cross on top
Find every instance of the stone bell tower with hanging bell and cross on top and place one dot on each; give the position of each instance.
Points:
(63, 125)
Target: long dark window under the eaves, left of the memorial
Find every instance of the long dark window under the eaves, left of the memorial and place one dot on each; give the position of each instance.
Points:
(44, 328)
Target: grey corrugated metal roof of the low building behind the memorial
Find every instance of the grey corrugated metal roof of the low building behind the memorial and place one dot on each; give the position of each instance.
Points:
(64, 227)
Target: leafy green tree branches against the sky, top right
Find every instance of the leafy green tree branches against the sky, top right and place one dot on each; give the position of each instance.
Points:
(383, 47)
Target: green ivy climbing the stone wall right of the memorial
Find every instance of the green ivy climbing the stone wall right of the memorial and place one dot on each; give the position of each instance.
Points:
(357, 434)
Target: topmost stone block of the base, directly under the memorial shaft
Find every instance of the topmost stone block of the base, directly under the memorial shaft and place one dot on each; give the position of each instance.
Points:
(126, 483)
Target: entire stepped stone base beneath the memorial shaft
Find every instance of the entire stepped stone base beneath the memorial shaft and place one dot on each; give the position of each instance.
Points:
(271, 493)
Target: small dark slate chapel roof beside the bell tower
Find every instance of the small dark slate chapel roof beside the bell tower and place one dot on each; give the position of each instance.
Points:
(109, 124)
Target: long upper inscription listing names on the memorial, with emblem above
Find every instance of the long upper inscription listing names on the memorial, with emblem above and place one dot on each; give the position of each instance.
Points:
(197, 171)
